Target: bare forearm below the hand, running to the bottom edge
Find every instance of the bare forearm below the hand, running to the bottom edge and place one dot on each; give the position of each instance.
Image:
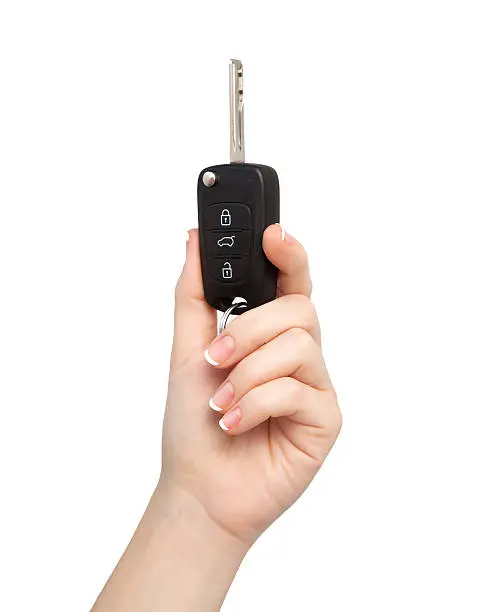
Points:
(177, 560)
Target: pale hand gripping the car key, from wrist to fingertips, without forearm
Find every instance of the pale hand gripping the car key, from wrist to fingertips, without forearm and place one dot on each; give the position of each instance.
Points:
(265, 373)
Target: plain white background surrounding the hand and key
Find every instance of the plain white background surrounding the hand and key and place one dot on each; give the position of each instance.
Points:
(368, 111)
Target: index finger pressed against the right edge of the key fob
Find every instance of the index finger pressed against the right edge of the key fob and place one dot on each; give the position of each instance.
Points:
(289, 256)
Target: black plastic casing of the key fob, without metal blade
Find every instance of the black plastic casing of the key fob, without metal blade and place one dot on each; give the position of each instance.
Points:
(256, 187)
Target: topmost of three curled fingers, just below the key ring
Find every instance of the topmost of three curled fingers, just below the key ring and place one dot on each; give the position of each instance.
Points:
(256, 327)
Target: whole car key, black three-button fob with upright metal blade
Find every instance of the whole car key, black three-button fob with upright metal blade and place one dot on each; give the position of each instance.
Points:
(236, 202)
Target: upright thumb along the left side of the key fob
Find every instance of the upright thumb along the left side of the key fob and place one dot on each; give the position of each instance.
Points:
(195, 322)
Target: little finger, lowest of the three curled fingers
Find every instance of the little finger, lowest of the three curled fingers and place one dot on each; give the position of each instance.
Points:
(282, 397)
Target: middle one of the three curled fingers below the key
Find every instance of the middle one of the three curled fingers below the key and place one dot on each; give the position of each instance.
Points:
(293, 353)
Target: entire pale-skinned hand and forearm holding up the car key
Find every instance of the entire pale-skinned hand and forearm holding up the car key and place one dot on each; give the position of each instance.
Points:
(251, 415)
